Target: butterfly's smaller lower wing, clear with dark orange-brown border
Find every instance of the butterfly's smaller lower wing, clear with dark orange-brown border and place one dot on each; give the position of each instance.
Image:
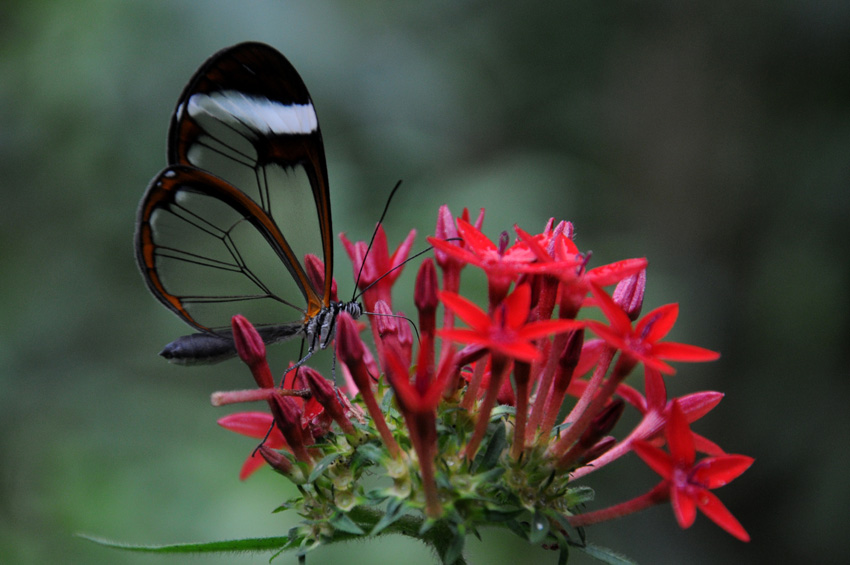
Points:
(214, 252)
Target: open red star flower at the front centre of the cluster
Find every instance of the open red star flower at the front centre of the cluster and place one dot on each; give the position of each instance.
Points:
(508, 331)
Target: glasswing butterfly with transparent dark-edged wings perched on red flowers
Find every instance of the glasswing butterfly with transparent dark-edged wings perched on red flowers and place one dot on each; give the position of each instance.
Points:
(225, 228)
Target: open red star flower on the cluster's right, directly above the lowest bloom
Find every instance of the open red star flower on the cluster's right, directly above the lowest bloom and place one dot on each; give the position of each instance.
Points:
(643, 342)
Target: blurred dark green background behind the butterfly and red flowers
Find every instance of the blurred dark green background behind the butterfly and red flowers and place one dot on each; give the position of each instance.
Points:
(711, 136)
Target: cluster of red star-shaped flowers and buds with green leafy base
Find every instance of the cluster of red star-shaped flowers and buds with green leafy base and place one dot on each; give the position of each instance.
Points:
(493, 422)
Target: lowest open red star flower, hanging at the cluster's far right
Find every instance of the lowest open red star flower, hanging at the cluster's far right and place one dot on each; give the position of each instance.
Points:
(689, 483)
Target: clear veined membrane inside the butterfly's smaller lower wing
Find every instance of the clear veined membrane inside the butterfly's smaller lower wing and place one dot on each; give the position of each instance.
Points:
(218, 263)
